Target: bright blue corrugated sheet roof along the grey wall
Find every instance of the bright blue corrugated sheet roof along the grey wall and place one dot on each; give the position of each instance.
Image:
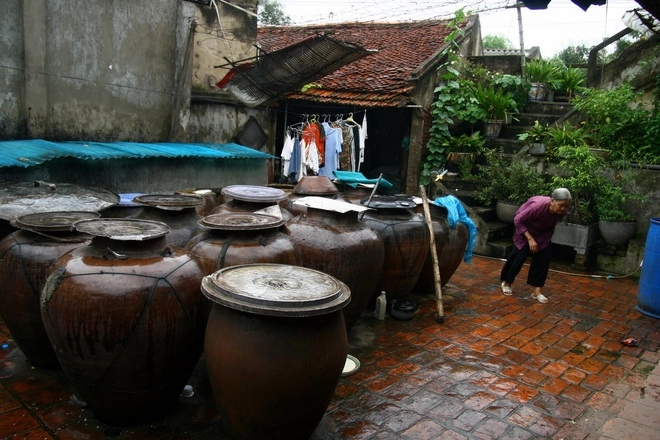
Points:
(25, 153)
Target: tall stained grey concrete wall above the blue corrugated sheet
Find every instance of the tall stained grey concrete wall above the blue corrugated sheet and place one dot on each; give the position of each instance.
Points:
(108, 70)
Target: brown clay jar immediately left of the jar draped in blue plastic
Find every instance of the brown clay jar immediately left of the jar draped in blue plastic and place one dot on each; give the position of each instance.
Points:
(406, 238)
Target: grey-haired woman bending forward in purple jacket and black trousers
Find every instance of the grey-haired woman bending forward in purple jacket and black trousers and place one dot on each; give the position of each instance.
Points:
(534, 224)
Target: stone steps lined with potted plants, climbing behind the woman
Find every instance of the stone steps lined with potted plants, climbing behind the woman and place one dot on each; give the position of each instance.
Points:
(494, 236)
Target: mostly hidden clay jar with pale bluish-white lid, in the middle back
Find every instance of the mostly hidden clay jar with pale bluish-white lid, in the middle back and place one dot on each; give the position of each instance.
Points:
(253, 198)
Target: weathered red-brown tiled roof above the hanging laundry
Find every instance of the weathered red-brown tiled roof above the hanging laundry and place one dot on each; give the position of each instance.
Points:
(377, 80)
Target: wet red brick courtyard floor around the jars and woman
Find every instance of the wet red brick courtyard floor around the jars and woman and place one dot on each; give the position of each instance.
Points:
(497, 368)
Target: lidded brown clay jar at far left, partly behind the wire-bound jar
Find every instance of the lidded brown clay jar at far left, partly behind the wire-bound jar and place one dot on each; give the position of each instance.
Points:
(26, 257)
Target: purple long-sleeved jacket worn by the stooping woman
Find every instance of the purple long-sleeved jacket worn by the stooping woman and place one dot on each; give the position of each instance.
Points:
(534, 216)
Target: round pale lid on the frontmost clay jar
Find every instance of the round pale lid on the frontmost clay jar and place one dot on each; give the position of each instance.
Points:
(276, 290)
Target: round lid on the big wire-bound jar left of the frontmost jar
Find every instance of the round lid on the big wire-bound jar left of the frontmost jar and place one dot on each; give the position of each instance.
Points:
(123, 229)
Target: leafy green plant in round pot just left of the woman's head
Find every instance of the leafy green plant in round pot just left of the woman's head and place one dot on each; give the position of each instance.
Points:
(510, 181)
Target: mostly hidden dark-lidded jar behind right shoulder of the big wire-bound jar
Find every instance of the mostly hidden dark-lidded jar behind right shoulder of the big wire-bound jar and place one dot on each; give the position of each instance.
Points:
(178, 211)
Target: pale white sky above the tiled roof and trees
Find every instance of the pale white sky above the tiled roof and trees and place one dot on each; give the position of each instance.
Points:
(562, 25)
